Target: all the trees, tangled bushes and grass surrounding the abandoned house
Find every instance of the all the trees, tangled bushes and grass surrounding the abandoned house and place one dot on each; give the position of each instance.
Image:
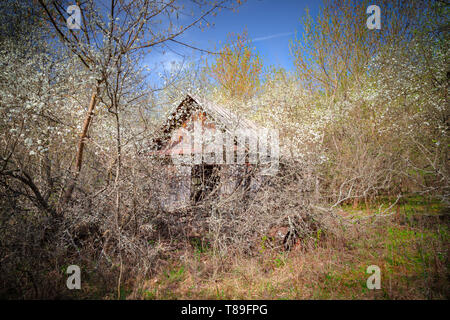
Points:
(364, 163)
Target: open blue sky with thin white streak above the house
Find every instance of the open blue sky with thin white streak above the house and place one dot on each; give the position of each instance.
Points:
(270, 25)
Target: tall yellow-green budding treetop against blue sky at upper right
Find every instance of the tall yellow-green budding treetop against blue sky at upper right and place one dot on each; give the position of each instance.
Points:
(336, 46)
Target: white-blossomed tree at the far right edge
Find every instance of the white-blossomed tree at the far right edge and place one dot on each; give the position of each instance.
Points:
(410, 94)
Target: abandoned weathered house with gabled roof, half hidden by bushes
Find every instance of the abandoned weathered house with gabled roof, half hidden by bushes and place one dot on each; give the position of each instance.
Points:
(209, 152)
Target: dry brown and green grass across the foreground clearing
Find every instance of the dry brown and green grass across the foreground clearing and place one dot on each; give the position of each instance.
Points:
(411, 248)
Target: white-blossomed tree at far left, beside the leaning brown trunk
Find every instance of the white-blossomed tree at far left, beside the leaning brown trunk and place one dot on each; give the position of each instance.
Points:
(40, 90)
